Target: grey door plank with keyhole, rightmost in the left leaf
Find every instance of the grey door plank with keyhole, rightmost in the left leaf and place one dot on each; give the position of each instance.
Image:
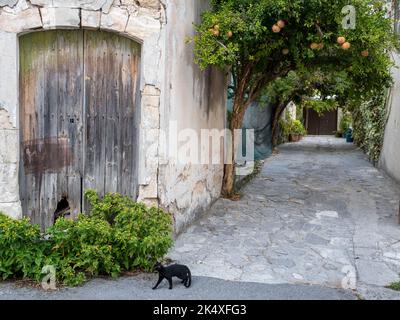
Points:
(70, 101)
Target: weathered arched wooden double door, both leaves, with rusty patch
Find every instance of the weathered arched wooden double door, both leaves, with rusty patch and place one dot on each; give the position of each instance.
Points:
(78, 103)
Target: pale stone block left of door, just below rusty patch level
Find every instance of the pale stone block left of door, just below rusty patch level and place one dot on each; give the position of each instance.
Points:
(9, 190)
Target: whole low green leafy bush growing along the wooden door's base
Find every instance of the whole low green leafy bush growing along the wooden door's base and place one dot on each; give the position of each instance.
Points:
(118, 234)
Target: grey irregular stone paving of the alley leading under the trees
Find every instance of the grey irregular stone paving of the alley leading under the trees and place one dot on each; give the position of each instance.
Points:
(319, 213)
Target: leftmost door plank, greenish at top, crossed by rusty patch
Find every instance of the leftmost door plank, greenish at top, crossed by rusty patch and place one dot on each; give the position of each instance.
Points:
(32, 128)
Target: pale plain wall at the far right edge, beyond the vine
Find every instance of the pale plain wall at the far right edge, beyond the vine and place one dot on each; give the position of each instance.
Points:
(390, 156)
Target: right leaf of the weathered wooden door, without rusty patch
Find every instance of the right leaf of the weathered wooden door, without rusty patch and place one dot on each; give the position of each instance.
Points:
(110, 164)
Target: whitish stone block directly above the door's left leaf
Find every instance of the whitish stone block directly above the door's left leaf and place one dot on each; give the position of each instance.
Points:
(60, 18)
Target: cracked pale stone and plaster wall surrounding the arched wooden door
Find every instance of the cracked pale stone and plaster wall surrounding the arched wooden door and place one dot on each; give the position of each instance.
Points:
(172, 88)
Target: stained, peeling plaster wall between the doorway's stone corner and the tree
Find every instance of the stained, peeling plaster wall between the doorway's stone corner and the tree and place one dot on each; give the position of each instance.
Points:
(195, 100)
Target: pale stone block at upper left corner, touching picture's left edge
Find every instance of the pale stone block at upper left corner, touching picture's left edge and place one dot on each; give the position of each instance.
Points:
(25, 20)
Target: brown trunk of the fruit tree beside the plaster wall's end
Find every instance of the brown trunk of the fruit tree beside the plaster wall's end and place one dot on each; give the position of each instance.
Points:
(228, 186)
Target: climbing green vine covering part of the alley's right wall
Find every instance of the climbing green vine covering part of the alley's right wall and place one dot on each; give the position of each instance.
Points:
(369, 122)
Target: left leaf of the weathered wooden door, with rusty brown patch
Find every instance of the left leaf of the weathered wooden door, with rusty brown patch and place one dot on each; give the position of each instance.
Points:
(51, 87)
